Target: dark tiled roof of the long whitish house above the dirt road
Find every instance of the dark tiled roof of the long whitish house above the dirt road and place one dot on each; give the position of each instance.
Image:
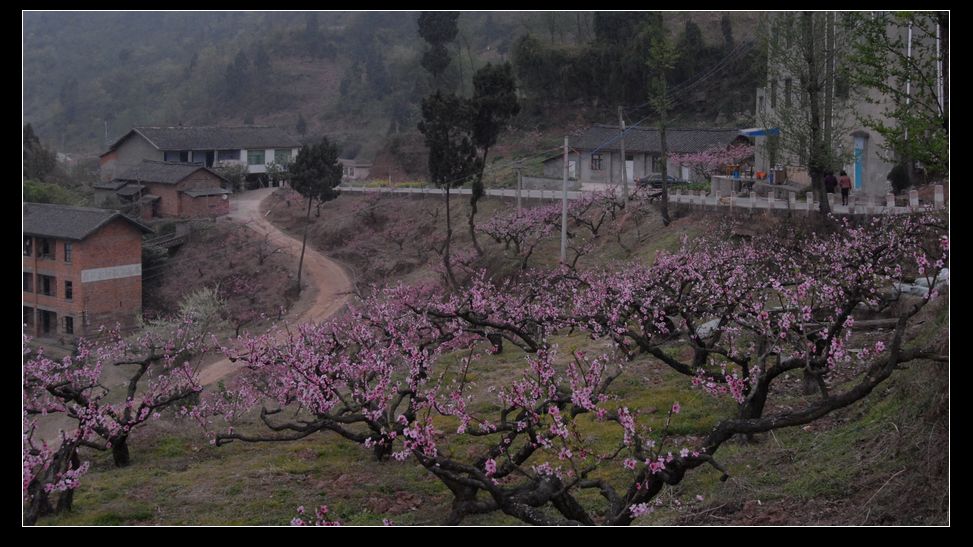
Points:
(213, 138)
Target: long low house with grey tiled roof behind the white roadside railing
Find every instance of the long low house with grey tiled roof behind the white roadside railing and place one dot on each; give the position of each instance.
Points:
(597, 152)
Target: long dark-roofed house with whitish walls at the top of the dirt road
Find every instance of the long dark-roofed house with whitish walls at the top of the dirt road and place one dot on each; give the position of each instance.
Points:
(253, 146)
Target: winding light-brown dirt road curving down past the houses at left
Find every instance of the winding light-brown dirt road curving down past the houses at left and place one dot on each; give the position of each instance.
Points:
(328, 285)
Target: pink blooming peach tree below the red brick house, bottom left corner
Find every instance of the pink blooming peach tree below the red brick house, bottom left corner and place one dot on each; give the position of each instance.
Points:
(161, 364)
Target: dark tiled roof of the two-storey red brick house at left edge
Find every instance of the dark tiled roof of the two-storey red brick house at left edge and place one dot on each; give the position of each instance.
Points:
(66, 222)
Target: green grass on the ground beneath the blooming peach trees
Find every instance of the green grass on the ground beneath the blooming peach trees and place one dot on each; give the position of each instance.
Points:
(178, 478)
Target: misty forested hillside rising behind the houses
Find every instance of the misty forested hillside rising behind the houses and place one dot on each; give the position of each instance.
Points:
(357, 77)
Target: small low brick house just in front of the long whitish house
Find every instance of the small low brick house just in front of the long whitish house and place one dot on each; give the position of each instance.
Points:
(167, 189)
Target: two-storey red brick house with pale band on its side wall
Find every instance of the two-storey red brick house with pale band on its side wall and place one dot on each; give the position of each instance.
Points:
(82, 269)
